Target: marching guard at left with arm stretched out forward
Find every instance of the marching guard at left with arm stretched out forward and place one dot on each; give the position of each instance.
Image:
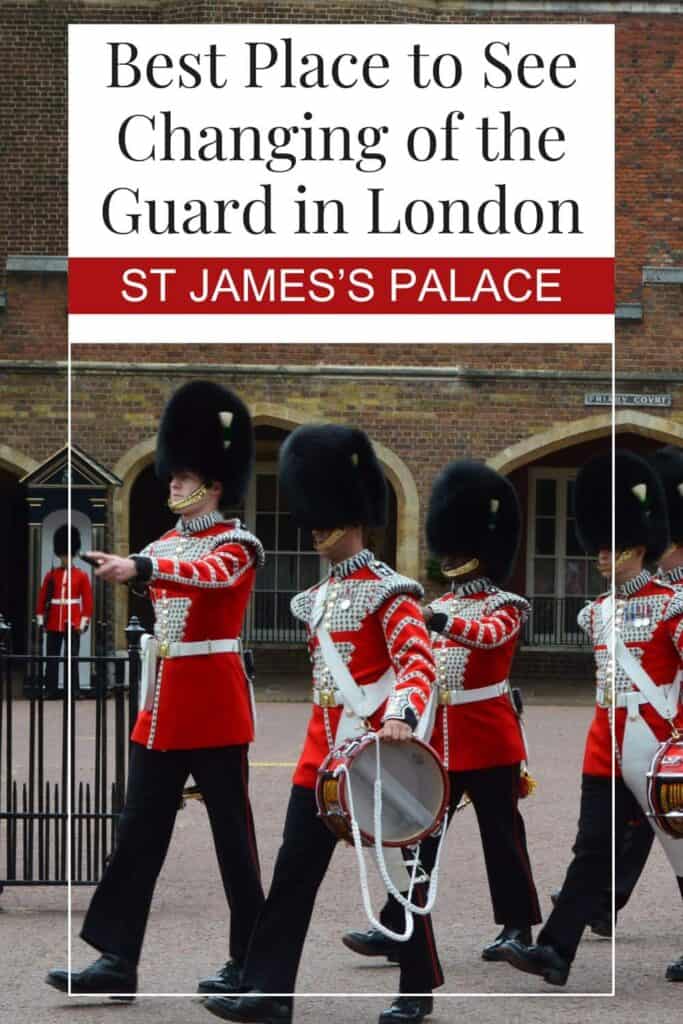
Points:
(196, 714)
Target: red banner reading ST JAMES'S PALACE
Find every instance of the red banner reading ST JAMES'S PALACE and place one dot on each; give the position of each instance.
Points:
(351, 286)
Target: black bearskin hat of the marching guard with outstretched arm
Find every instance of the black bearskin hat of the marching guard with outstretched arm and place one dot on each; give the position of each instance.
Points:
(206, 430)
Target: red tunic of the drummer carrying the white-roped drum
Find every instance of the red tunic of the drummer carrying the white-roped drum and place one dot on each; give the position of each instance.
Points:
(374, 620)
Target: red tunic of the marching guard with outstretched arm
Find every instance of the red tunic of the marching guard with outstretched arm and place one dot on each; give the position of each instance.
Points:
(202, 579)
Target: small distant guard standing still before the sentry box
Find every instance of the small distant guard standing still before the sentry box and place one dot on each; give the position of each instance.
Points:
(65, 605)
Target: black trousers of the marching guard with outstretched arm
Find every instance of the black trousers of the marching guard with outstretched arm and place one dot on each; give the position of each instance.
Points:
(118, 914)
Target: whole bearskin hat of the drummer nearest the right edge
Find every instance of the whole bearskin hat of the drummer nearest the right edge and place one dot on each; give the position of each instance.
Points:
(639, 501)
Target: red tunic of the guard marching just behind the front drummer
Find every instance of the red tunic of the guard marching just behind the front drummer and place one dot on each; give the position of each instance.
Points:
(476, 650)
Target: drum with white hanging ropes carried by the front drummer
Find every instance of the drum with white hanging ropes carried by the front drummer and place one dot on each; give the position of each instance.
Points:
(415, 791)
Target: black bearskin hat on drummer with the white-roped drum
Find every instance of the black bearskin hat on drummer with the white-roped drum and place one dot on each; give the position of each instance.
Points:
(331, 478)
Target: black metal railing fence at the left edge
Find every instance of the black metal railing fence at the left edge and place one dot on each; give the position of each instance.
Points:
(48, 777)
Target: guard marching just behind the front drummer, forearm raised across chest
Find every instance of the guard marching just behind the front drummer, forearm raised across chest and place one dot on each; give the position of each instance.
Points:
(474, 528)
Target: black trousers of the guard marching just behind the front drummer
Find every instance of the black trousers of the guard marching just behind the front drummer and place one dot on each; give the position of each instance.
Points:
(495, 795)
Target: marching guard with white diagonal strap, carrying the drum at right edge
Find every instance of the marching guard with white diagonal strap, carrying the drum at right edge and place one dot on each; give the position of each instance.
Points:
(639, 670)
